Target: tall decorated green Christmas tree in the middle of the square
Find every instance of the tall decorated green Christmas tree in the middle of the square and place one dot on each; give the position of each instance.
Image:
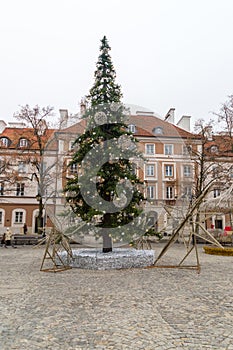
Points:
(106, 192)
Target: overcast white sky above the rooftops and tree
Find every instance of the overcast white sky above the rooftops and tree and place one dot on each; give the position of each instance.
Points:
(167, 53)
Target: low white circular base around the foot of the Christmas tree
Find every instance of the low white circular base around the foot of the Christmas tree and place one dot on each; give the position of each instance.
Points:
(119, 258)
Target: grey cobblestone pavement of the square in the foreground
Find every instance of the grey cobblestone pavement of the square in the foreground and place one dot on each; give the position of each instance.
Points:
(144, 309)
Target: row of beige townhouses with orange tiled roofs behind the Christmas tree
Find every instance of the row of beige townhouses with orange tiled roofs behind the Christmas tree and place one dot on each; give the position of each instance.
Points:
(169, 171)
